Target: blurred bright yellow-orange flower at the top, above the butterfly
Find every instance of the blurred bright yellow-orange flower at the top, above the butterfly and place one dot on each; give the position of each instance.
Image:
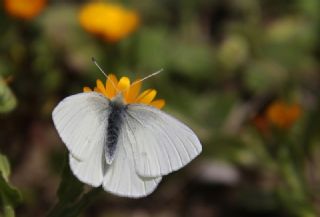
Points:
(110, 21)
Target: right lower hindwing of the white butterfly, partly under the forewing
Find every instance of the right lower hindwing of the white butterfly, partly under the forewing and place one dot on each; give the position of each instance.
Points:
(121, 177)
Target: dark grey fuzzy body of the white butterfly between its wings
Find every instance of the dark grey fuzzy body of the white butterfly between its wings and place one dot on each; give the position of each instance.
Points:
(114, 124)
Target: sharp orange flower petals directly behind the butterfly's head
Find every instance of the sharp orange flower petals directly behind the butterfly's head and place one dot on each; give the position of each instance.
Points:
(130, 93)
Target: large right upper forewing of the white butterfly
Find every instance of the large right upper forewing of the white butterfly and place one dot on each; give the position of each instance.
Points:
(161, 144)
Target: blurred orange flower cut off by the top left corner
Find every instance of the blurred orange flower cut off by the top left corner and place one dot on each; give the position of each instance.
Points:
(24, 9)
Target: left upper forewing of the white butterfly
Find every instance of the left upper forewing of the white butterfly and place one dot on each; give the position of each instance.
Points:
(81, 121)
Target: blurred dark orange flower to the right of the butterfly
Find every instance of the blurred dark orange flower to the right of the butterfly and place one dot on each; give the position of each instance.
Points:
(283, 115)
